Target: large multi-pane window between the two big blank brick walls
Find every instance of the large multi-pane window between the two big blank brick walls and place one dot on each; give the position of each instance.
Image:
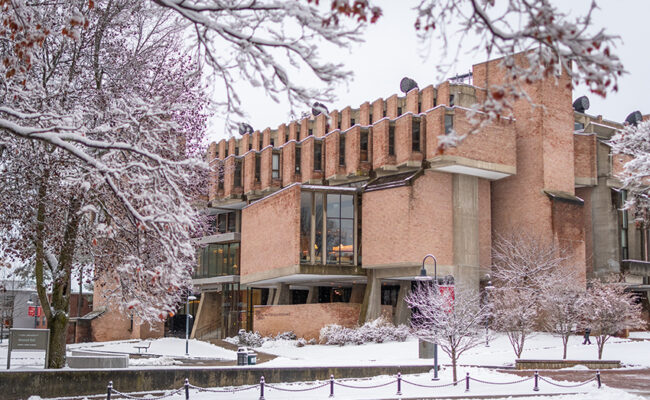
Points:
(333, 228)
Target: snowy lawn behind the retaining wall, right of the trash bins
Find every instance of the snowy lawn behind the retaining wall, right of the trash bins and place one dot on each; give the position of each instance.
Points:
(500, 353)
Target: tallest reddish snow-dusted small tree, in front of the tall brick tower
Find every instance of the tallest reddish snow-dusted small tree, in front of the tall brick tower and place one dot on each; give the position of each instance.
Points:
(525, 269)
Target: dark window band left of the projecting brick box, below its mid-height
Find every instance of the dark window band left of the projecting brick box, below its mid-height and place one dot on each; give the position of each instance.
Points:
(217, 260)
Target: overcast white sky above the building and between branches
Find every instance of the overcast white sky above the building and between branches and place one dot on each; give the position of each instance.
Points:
(391, 51)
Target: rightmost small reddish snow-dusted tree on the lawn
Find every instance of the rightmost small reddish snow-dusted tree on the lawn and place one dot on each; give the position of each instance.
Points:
(608, 309)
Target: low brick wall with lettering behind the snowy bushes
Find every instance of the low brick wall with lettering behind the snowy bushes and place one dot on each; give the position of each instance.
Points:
(306, 320)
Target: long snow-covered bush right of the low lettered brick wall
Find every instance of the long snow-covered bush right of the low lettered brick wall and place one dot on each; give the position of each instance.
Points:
(377, 331)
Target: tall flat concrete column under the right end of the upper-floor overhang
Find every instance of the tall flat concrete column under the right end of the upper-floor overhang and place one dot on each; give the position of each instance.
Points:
(466, 232)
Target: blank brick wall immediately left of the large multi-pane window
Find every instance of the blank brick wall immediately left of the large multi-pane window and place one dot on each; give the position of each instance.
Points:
(271, 232)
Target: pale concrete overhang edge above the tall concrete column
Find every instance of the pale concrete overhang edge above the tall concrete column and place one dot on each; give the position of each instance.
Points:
(466, 166)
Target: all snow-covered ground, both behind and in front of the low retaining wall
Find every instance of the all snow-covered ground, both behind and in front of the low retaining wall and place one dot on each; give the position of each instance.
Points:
(632, 353)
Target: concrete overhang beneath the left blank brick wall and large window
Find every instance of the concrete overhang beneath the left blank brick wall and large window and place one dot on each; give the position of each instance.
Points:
(306, 275)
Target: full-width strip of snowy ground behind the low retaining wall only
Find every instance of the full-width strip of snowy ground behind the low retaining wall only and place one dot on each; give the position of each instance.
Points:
(168, 351)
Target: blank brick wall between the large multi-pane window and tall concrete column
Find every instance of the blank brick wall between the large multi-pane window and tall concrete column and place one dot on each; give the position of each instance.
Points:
(405, 223)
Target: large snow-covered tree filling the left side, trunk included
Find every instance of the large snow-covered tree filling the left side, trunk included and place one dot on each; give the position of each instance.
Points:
(99, 117)
